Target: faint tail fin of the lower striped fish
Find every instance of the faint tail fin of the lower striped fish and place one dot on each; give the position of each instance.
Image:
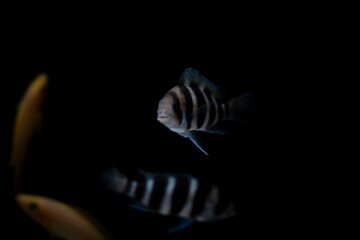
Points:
(112, 179)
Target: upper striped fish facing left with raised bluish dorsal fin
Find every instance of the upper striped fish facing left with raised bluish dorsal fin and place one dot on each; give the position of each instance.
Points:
(196, 104)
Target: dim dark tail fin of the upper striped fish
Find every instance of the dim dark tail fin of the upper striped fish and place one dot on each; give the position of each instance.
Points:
(241, 108)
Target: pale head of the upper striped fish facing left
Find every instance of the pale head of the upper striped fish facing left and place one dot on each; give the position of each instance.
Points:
(168, 111)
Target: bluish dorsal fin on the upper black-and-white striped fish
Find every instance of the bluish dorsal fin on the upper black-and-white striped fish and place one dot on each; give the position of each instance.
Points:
(193, 78)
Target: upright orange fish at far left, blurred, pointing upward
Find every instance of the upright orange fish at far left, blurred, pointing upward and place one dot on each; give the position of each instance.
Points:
(27, 121)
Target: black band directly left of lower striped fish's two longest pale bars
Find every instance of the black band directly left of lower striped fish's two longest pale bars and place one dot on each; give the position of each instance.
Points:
(157, 194)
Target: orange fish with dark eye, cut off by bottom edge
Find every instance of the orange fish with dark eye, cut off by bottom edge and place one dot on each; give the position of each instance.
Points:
(60, 219)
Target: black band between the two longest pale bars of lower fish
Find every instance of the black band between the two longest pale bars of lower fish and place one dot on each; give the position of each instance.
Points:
(180, 194)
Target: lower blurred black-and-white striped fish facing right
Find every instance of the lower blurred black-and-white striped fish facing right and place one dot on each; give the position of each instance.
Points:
(179, 195)
